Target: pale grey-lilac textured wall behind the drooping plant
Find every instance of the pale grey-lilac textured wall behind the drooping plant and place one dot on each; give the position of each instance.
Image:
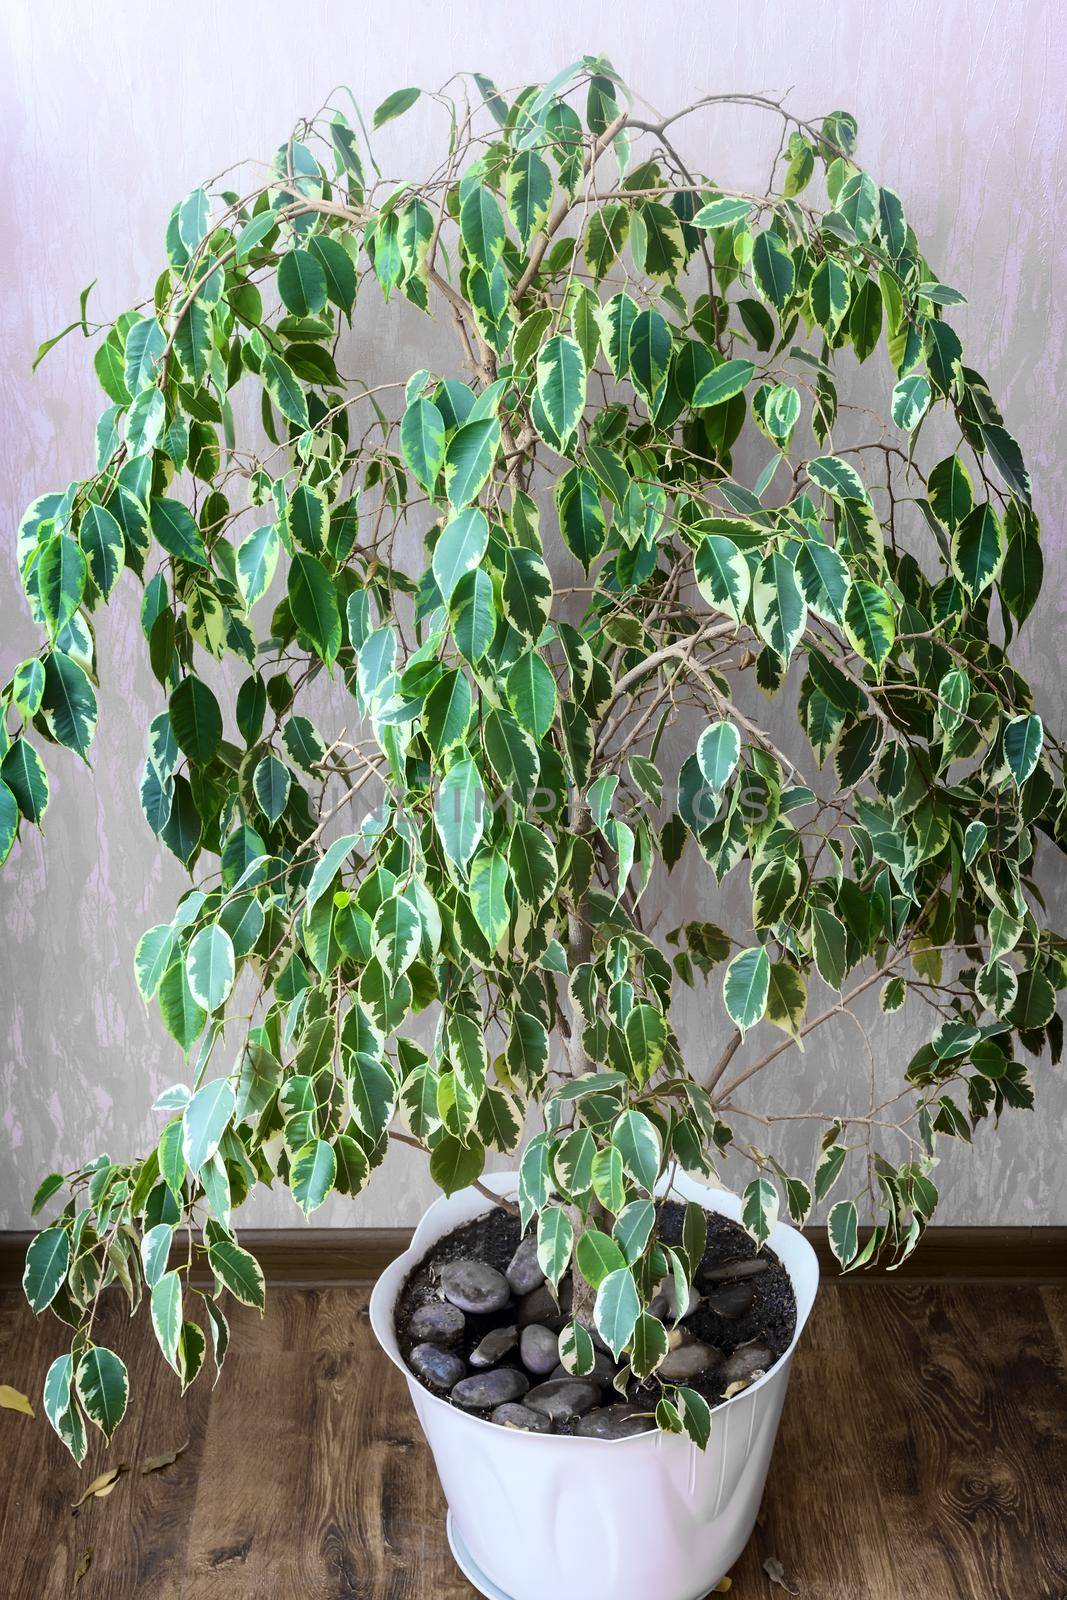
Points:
(111, 111)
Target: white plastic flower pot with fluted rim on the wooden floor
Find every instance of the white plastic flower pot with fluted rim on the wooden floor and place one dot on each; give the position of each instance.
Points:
(541, 1518)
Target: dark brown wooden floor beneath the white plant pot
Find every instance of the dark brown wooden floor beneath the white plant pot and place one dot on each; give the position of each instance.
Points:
(924, 1454)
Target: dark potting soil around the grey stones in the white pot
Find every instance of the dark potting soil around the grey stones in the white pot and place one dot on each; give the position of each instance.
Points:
(769, 1319)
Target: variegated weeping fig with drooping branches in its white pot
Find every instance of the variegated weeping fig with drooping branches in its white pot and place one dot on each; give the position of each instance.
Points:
(455, 673)
